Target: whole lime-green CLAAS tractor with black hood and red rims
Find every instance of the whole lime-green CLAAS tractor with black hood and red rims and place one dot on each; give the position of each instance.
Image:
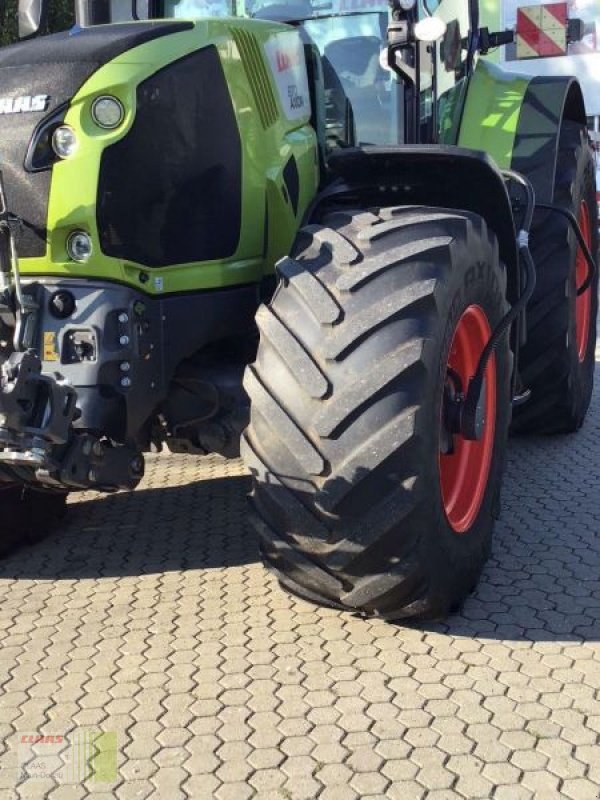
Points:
(331, 235)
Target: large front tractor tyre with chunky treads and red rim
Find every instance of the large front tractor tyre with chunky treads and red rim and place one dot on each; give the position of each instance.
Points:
(346, 403)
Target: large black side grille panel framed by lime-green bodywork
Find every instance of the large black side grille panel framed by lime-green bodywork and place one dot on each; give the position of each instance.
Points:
(170, 190)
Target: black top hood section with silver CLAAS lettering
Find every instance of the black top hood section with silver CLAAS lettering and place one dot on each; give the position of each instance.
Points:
(37, 78)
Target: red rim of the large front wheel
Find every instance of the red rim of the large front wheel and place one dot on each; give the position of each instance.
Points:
(464, 473)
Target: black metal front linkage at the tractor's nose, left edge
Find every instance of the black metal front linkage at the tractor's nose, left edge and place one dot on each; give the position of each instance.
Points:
(38, 442)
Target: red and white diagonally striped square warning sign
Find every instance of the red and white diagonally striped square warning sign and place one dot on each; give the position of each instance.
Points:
(542, 30)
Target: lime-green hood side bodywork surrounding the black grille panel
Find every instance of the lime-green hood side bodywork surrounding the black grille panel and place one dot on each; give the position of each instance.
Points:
(265, 151)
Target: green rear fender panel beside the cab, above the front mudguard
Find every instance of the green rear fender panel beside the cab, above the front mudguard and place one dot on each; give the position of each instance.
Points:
(490, 117)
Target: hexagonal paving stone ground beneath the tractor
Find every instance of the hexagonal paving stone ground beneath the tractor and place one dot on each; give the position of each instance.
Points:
(149, 615)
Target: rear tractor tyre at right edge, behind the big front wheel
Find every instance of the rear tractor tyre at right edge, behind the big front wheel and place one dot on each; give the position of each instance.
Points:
(557, 362)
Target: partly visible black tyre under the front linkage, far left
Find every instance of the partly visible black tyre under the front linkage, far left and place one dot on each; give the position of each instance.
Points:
(28, 515)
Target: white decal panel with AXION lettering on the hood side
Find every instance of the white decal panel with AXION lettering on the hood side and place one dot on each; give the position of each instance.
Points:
(285, 55)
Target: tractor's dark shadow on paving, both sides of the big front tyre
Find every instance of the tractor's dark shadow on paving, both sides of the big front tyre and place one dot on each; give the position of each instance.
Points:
(541, 583)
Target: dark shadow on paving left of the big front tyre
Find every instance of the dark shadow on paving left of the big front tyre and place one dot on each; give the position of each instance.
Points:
(201, 525)
